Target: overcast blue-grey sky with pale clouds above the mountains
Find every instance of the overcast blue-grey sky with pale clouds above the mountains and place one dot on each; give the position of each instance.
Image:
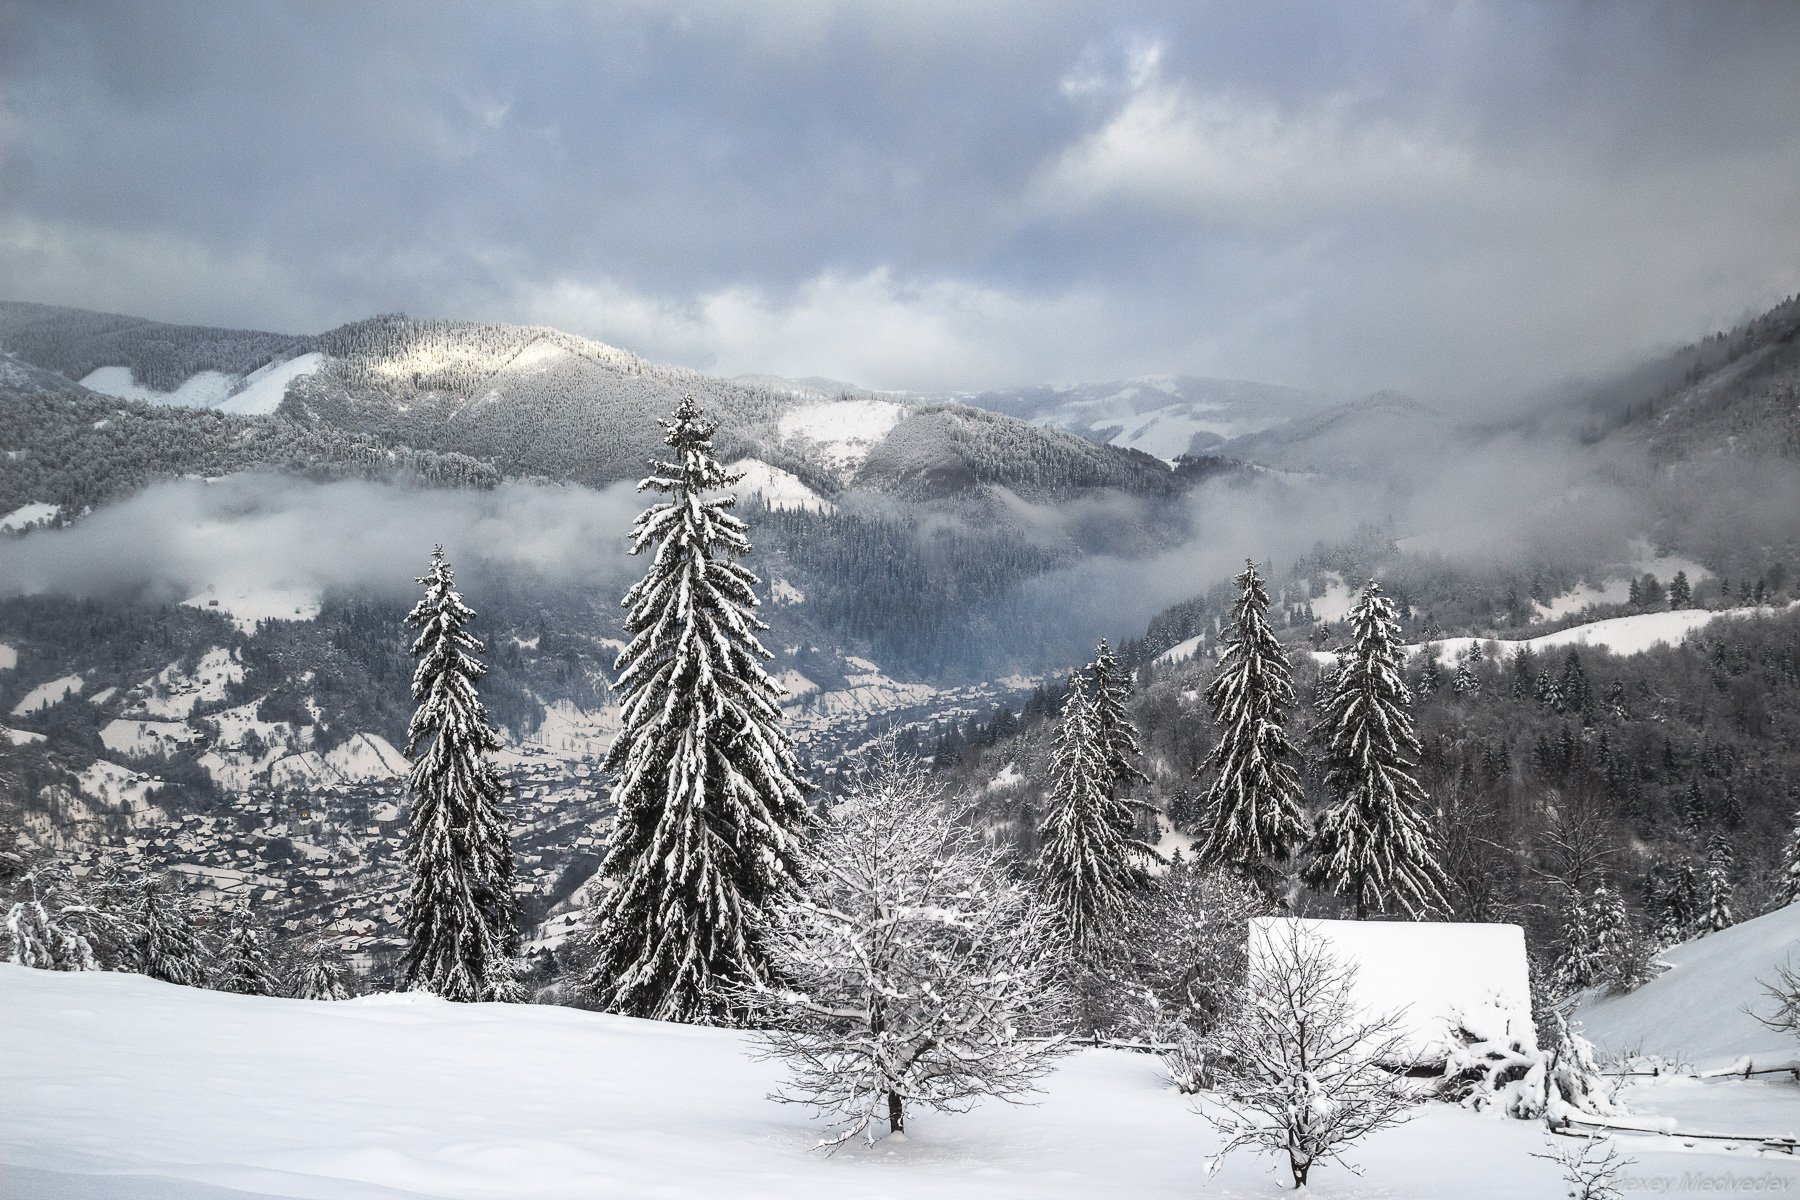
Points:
(1450, 199)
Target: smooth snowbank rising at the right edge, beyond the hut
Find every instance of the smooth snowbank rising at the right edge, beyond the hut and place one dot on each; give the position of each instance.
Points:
(1696, 1012)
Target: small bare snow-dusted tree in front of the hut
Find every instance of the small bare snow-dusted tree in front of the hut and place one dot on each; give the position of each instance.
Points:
(1304, 1071)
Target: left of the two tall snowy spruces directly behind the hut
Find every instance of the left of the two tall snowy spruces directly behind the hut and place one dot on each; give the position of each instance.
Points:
(1254, 807)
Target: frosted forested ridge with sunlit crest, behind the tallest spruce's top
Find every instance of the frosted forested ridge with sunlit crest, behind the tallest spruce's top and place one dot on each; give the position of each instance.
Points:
(535, 402)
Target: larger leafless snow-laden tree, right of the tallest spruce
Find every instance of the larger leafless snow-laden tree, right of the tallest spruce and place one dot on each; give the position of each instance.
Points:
(913, 971)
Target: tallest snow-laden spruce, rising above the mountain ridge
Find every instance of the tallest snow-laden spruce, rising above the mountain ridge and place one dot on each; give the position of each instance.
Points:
(706, 785)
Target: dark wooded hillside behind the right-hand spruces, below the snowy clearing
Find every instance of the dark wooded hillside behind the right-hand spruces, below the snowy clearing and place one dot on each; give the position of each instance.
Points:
(1669, 778)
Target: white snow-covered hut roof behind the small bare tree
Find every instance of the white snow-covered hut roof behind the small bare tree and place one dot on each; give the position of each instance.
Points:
(1452, 985)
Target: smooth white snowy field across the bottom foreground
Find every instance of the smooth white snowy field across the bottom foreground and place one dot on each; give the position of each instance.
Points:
(116, 1088)
